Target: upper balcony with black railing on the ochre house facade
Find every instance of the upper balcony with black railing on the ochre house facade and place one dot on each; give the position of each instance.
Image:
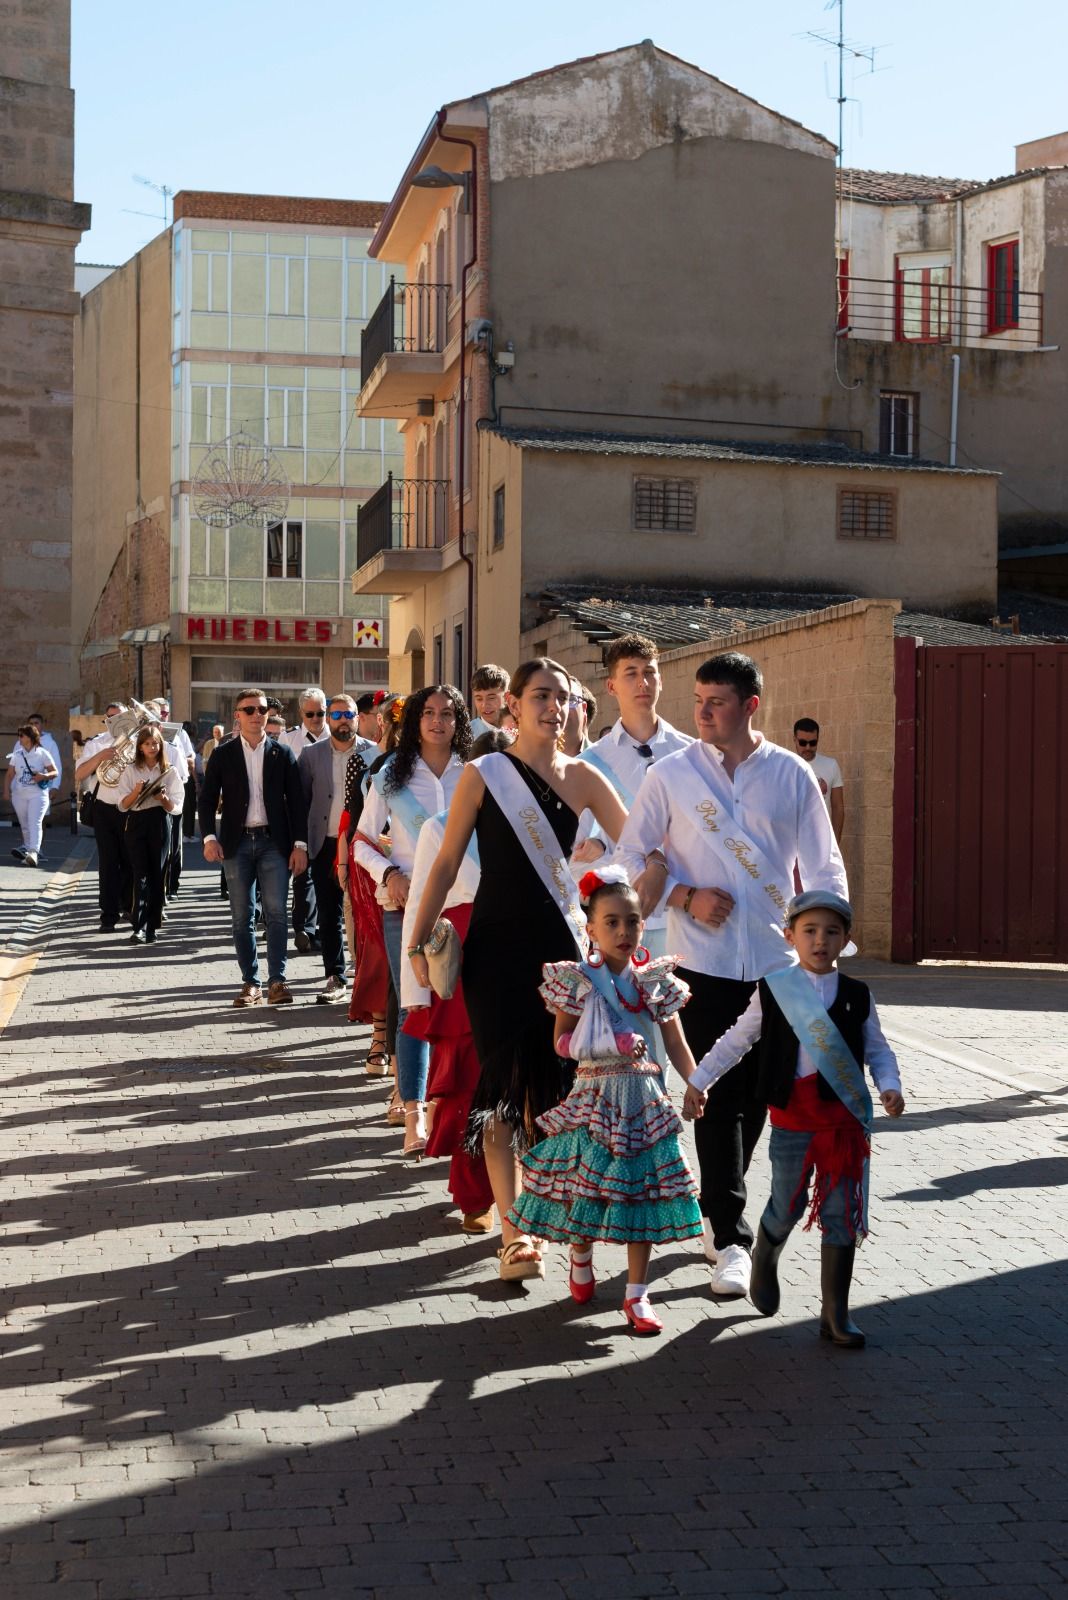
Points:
(402, 350)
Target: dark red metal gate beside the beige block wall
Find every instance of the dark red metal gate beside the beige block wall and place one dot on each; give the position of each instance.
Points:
(989, 802)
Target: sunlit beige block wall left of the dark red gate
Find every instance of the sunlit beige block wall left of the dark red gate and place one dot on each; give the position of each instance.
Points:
(835, 666)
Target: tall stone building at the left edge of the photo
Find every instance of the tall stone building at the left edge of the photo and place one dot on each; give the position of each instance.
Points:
(41, 225)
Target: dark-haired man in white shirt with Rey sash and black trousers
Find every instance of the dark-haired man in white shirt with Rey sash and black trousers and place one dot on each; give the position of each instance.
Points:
(731, 814)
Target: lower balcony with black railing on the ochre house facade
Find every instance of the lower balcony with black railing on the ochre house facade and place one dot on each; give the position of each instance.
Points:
(402, 532)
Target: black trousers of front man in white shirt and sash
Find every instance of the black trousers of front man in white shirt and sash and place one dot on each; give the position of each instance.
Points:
(735, 1116)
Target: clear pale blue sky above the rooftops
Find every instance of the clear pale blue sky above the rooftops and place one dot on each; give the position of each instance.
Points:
(330, 97)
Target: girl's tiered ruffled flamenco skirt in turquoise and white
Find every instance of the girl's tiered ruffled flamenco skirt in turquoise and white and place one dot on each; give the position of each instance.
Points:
(610, 1166)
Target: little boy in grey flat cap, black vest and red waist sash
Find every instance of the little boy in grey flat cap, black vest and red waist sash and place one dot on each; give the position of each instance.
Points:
(815, 1031)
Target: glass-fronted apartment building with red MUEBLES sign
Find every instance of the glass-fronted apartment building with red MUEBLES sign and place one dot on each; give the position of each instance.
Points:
(229, 346)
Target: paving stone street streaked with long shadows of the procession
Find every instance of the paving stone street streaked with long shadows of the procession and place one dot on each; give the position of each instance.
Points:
(249, 1353)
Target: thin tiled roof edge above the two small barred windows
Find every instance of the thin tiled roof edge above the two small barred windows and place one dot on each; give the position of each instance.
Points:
(671, 447)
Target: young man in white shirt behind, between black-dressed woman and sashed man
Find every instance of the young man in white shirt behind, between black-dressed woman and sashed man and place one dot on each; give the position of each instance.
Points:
(629, 750)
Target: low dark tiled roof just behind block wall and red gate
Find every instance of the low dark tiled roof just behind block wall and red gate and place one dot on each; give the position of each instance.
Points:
(685, 617)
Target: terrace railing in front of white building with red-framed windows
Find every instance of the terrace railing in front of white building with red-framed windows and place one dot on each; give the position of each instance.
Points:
(917, 308)
